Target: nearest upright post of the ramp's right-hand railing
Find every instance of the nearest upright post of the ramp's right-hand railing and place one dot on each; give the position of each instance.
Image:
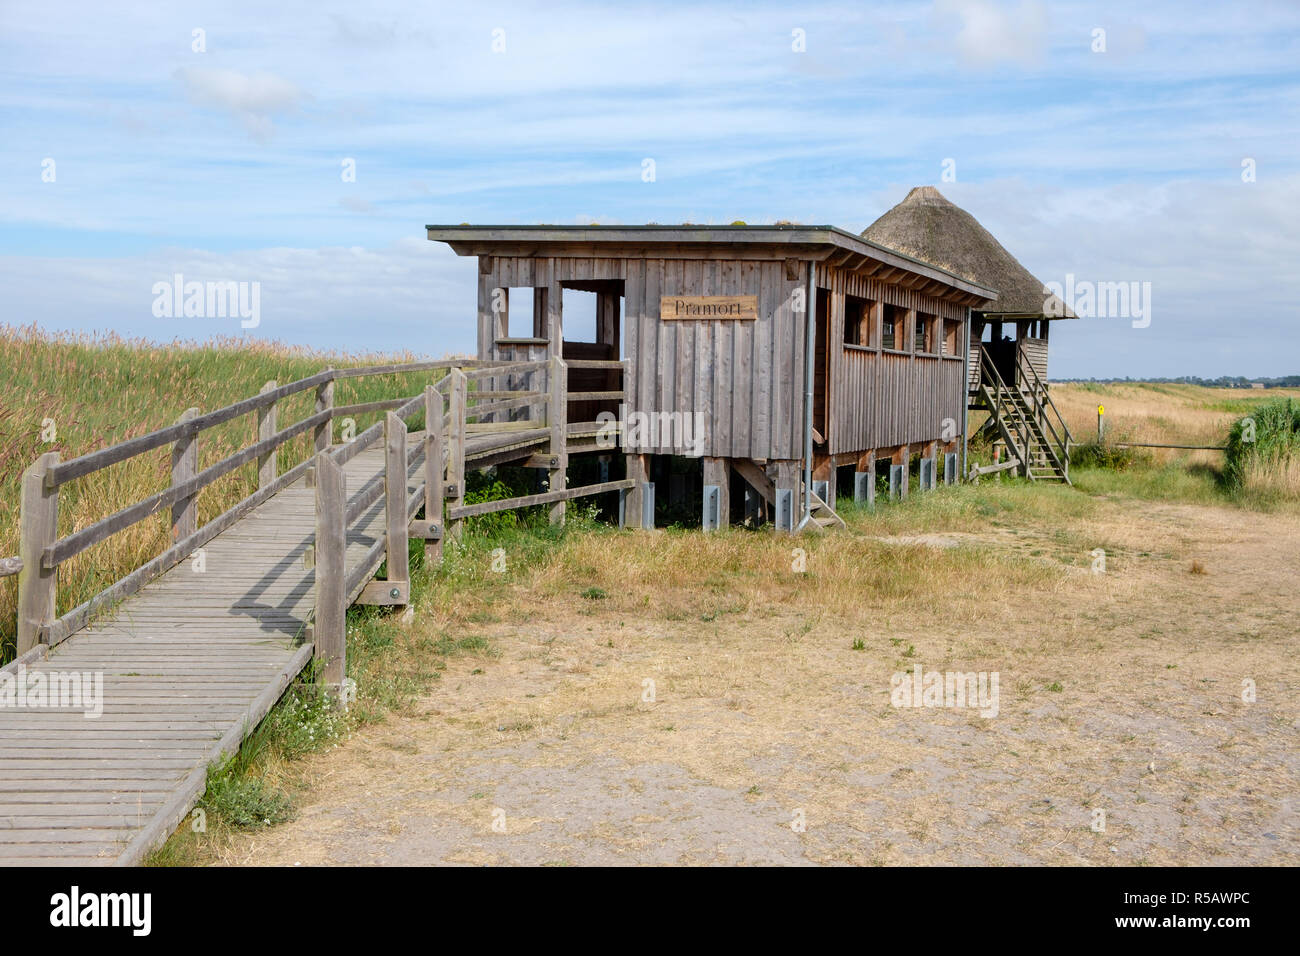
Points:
(330, 628)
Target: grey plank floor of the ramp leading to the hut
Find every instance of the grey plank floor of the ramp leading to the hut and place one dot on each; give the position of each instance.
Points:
(190, 665)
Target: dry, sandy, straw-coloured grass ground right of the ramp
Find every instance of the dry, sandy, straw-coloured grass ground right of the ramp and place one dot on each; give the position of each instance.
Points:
(764, 707)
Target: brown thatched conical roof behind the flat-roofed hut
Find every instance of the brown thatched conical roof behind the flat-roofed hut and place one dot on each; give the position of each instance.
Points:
(930, 228)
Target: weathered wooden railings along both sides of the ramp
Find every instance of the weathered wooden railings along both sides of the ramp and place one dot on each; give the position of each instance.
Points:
(465, 427)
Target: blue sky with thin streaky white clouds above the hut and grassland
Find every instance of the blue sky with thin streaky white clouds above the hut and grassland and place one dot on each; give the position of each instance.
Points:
(226, 165)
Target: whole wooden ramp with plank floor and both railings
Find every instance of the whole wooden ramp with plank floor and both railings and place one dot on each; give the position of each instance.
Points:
(189, 652)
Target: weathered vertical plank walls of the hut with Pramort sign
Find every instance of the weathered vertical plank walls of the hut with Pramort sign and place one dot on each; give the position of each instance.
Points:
(747, 378)
